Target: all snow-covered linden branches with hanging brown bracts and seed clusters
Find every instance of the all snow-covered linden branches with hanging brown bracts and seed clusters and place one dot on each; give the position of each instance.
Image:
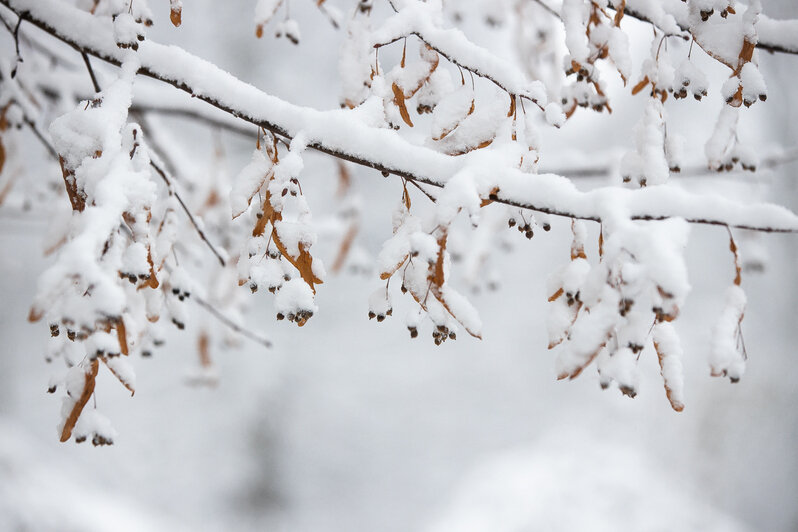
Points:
(122, 263)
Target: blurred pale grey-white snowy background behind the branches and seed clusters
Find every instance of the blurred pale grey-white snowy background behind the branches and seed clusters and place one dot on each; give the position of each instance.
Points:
(349, 425)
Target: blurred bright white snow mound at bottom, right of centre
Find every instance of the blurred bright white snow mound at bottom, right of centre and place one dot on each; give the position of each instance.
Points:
(567, 483)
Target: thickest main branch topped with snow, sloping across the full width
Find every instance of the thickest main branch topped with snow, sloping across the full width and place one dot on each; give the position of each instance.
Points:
(340, 134)
